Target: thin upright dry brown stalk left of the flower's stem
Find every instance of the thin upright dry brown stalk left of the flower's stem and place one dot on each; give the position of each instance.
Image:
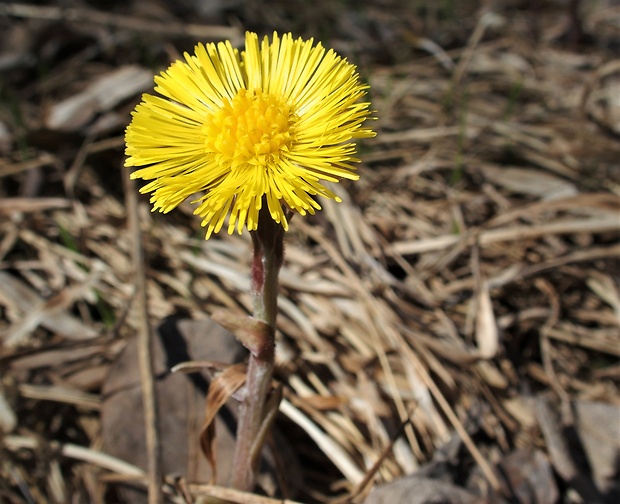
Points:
(144, 348)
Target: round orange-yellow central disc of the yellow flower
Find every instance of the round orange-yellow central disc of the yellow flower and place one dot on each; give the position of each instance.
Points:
(254, 128)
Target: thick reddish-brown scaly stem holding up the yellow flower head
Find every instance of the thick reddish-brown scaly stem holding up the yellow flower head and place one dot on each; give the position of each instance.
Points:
(268, 255)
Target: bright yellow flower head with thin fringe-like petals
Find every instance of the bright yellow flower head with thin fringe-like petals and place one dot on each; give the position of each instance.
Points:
(236, 128)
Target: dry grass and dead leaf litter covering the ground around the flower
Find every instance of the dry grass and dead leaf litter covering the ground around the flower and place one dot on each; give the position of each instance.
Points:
(450, 330)
